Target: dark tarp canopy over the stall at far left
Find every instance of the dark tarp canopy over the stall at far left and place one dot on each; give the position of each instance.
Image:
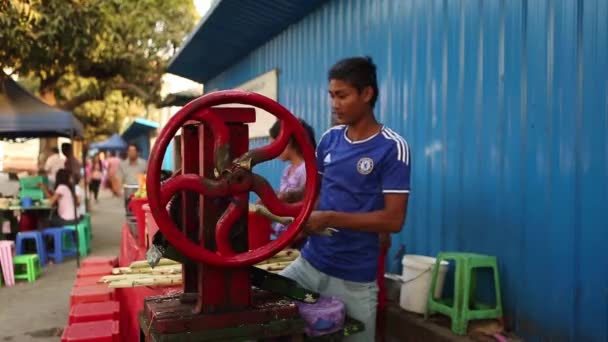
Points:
(23, 115)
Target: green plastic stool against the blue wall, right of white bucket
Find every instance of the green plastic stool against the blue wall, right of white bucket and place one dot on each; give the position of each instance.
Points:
(463, 307)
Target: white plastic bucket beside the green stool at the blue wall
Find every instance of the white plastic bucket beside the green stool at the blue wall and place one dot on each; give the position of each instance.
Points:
(416, 281)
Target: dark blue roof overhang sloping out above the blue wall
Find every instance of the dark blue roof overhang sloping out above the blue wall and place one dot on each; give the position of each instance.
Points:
(231, 30)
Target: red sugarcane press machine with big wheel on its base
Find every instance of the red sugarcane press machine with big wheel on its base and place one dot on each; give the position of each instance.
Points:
(225, 298)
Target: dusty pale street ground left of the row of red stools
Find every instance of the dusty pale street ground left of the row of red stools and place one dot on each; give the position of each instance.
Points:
(37, 312)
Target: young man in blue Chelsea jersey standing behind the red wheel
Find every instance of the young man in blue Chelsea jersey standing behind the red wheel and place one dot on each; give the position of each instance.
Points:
(365, 183)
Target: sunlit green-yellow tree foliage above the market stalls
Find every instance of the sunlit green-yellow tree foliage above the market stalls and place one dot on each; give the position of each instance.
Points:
(101, 59)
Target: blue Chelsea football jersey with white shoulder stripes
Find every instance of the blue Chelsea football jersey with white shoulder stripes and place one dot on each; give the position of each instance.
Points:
(355, 177)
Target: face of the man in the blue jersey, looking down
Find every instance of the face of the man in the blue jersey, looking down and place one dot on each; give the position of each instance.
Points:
(348, 104)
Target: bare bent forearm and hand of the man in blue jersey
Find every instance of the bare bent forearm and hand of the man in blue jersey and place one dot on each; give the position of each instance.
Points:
(387, 220)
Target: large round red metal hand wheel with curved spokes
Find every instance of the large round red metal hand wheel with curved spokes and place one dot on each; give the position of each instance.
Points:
(231, 186)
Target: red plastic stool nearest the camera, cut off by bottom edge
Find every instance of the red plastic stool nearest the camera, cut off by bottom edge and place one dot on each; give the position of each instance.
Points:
(100, 331)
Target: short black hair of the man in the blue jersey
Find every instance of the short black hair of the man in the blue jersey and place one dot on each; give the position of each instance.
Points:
(360, 72)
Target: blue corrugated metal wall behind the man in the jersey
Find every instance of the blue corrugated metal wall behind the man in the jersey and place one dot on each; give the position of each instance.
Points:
(504, 104)
